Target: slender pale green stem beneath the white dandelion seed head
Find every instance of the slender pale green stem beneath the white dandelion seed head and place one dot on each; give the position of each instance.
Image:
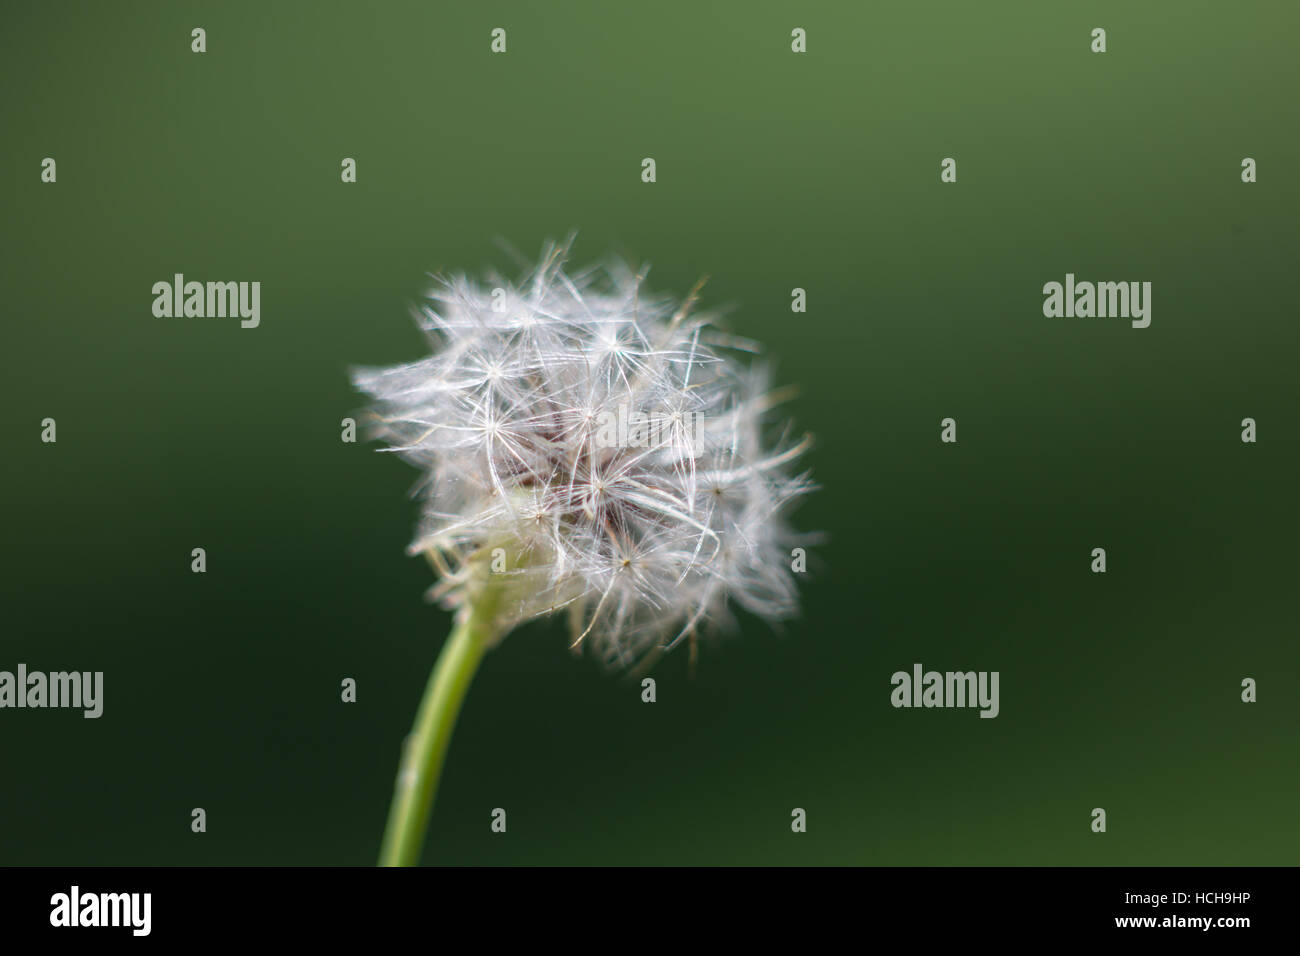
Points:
(426, 749)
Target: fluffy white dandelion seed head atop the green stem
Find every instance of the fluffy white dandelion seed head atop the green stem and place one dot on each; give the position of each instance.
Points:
(591, 448)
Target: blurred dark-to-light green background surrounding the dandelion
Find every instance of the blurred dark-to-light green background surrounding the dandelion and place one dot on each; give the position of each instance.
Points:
(775, 171)
